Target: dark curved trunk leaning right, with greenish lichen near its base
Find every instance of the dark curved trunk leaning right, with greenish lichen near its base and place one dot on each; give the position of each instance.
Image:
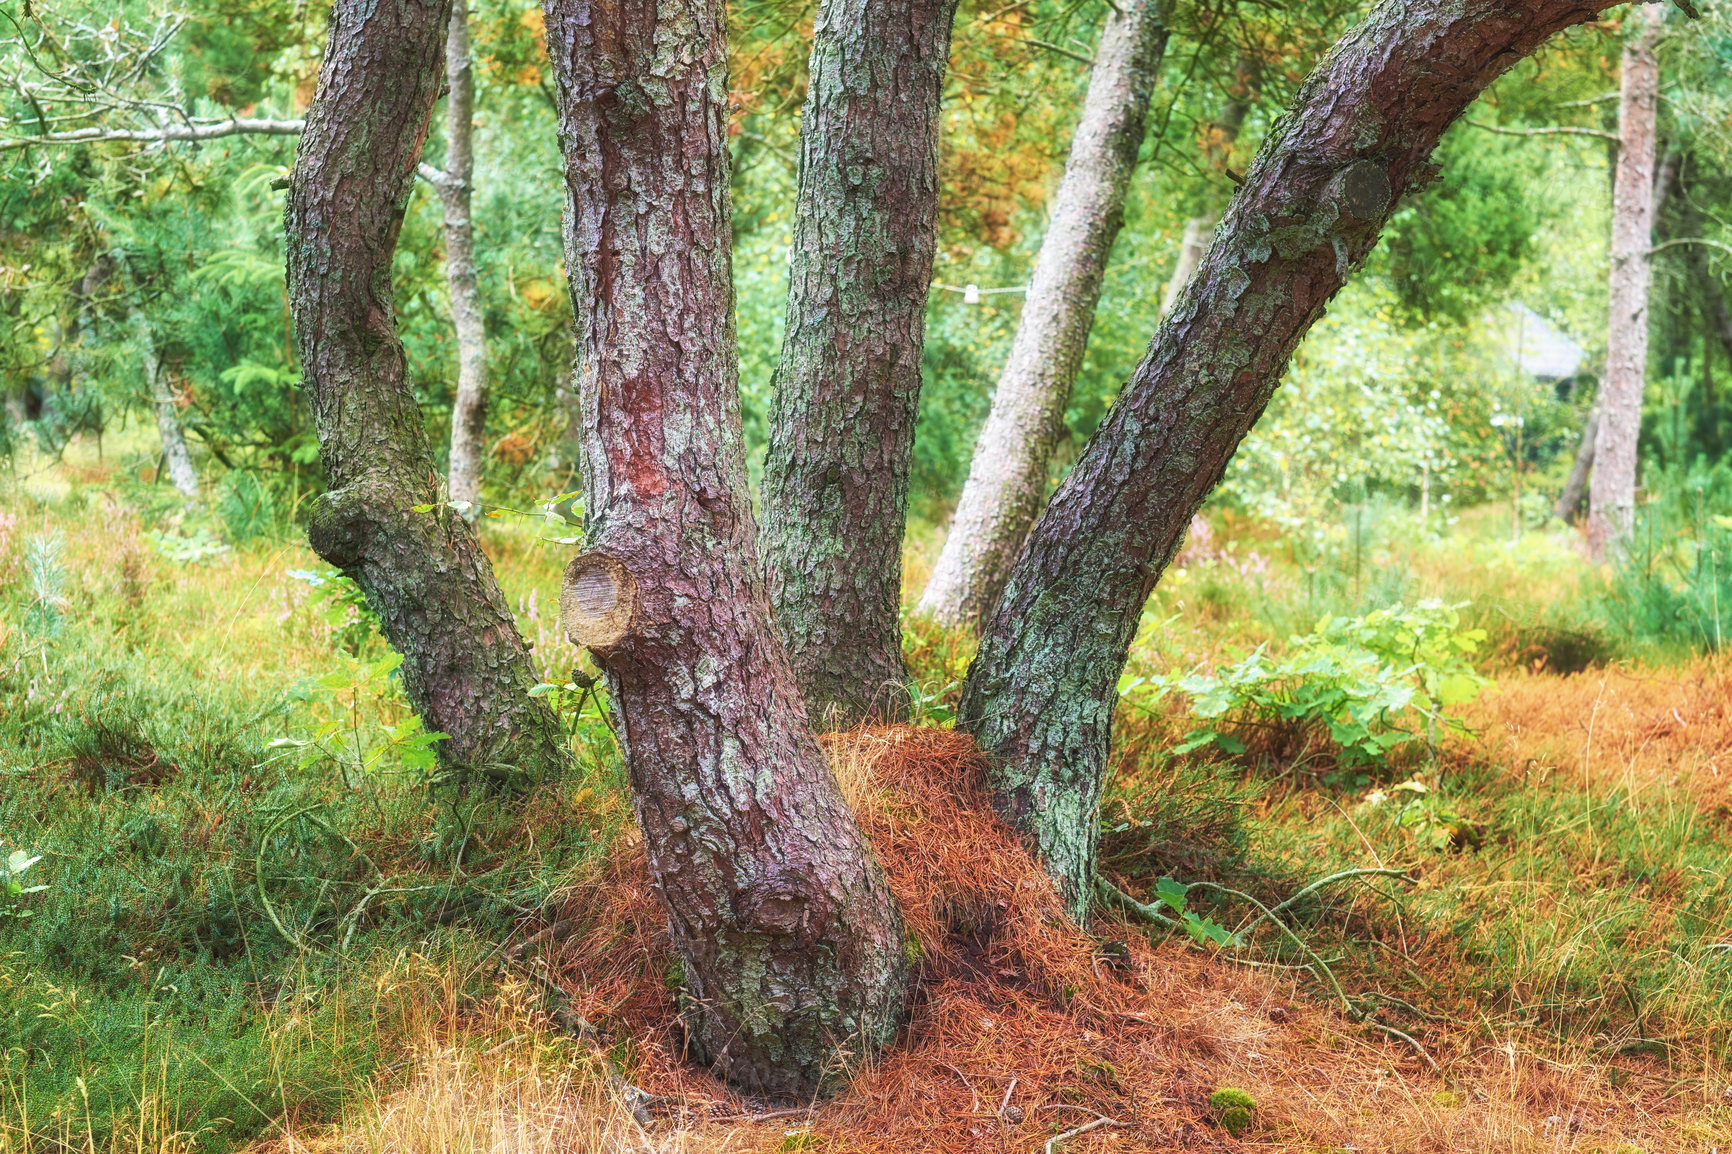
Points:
(1042, 692)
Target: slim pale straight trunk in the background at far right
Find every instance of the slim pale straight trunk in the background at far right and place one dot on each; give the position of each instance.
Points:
(1612, 493)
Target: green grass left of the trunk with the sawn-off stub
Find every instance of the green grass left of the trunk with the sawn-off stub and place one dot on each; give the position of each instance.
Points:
(217, 926)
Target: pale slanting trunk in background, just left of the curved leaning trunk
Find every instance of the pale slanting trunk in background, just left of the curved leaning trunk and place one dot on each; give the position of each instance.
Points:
(1007, 481)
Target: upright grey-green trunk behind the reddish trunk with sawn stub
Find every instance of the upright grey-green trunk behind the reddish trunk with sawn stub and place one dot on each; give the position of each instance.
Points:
(843, 422)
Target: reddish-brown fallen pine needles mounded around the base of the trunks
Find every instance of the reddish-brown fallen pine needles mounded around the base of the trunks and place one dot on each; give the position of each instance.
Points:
(1023, 1028)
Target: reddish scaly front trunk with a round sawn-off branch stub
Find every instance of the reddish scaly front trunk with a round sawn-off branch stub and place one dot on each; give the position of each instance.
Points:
(792, 943)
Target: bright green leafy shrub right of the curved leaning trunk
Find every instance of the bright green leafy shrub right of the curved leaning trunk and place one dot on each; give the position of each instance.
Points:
(1352, 680)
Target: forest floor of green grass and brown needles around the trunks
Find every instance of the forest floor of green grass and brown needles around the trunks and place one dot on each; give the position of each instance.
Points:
(254, 937)
